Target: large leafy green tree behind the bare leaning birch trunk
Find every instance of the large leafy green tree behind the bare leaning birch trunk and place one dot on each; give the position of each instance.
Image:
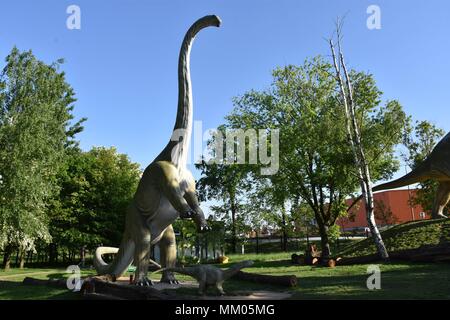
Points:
(316, 162)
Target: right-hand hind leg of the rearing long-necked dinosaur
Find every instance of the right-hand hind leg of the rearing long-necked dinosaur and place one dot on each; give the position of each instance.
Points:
(168, 251)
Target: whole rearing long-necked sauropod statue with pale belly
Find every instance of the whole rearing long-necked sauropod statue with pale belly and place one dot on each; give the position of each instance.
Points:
(166, 190)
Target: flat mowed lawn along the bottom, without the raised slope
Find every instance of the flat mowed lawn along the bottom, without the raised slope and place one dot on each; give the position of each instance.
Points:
(398, 281)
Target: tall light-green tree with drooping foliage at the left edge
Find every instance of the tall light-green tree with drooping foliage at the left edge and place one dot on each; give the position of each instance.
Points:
(36, 106)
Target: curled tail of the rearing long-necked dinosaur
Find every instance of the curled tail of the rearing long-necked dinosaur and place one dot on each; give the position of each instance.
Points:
(123, 259)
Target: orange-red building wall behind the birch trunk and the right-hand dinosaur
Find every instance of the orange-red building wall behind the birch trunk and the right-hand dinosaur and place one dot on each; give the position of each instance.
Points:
(395, 200)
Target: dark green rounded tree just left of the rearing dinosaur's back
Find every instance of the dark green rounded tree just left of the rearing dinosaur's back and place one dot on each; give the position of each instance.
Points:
(97, 187)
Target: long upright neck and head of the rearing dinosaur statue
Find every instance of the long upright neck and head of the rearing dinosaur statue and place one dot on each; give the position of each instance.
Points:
(177, 149)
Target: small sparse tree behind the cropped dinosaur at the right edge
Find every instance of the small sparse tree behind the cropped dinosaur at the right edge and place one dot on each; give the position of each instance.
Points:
(419, 141)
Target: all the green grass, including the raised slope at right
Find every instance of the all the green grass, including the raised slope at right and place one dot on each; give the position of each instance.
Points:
(398, 280)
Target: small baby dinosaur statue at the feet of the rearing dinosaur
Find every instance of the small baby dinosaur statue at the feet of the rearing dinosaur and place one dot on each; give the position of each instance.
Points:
(210, 276)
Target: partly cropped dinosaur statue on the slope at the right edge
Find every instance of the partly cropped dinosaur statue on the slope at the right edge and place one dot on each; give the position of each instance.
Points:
(436, 167)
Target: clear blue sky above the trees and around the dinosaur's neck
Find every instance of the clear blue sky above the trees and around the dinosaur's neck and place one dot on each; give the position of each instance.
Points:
(123, 62)
